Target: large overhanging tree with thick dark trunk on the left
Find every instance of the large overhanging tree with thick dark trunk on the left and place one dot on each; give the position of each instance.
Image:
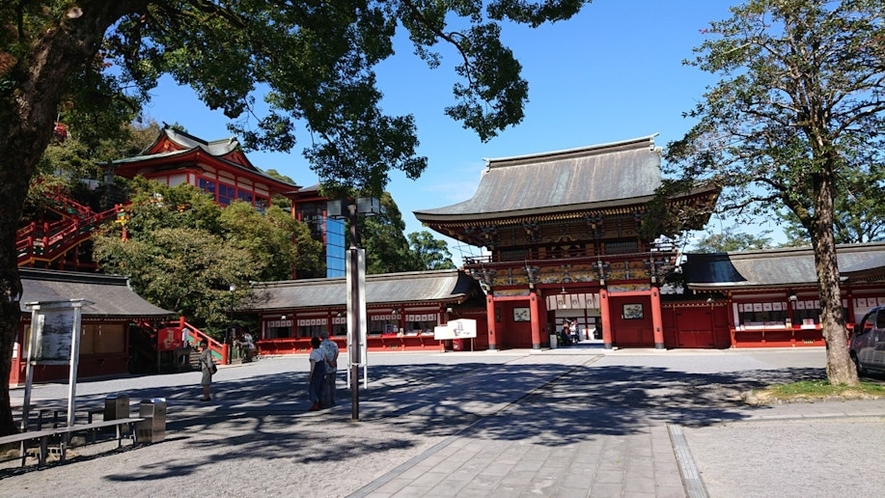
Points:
(312, 61)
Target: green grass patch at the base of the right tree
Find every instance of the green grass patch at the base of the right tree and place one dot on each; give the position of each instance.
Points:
(815, 390)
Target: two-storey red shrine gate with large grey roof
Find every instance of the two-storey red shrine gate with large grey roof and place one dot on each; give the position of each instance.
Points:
(562, 231)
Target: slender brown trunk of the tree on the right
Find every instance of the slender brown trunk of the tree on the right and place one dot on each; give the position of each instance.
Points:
(840, 368)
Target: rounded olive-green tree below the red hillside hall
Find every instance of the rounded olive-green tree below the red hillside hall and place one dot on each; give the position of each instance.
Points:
(184, 252)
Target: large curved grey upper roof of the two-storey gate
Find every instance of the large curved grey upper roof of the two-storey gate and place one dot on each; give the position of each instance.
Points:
(619, 173)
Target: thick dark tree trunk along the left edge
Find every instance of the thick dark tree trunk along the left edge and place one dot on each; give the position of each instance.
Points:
(55, 55)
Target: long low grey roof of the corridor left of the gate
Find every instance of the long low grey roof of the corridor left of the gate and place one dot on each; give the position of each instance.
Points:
(393, 288)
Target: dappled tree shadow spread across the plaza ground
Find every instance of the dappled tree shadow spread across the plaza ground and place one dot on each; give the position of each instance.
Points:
(552, 404)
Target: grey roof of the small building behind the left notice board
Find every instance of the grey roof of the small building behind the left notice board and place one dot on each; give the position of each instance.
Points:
(110, 294)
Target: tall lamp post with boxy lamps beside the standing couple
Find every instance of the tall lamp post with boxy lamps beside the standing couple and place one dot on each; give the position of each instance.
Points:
(351, 209)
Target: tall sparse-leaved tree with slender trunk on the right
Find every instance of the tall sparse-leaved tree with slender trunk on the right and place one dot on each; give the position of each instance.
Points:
(799, 108)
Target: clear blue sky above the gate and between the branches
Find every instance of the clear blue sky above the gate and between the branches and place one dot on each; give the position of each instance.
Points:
(613, 72)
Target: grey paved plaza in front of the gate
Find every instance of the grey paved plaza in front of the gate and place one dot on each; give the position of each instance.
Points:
(577, 421)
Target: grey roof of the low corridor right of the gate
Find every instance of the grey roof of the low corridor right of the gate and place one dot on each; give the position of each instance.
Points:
(775, 267)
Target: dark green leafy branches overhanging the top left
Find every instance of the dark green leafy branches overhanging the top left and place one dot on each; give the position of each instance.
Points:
(313, 63)
